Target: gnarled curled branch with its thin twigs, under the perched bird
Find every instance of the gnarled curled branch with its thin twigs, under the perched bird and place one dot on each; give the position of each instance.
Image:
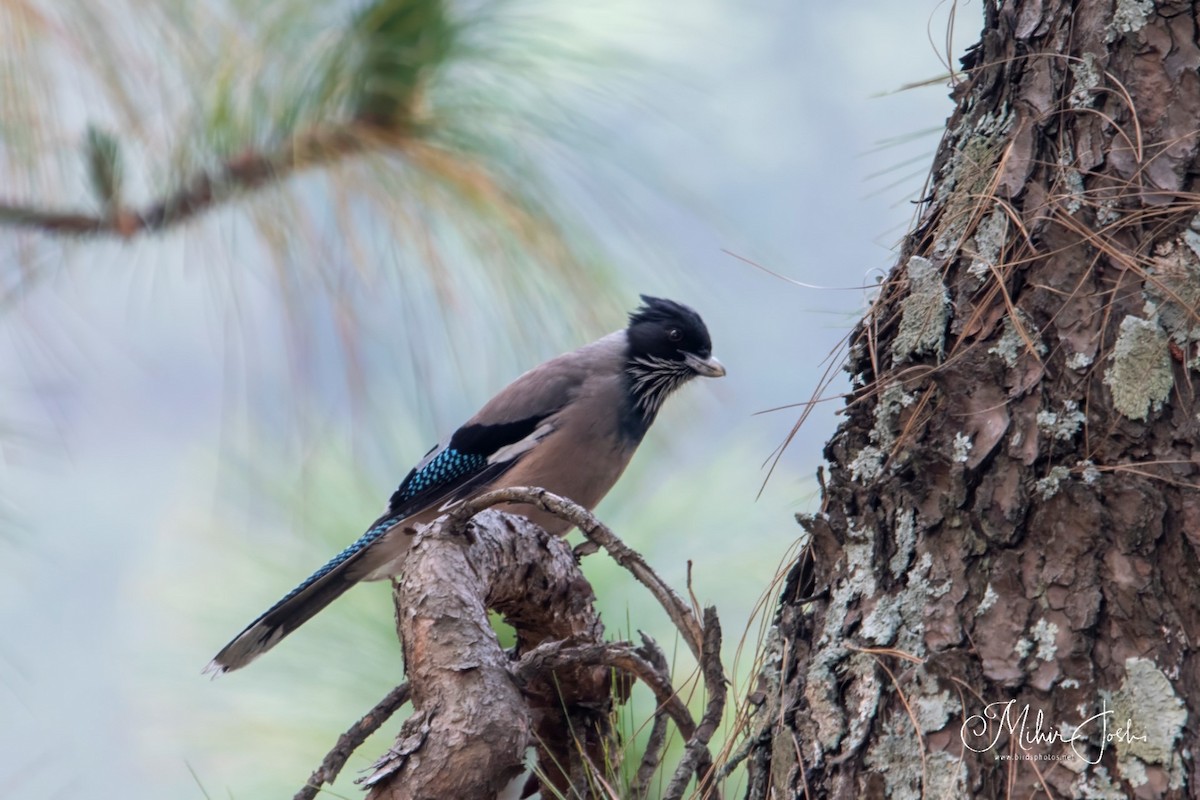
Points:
(478, 709)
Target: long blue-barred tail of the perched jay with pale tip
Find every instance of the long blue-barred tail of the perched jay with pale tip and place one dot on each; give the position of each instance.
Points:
(301, 605)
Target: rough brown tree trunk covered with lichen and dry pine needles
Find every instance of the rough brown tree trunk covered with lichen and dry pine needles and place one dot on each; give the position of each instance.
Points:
(1012, 519)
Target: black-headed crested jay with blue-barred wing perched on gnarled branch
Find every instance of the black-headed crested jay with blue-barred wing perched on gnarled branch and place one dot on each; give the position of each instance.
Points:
(569, 426)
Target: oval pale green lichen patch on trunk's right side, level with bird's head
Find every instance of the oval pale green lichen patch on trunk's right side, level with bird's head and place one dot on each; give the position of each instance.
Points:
(1141, 376)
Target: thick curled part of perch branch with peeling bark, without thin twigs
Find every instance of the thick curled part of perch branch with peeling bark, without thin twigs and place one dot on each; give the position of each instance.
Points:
(472, 725)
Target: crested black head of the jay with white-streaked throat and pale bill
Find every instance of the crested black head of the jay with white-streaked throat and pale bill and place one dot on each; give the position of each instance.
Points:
(669, 346)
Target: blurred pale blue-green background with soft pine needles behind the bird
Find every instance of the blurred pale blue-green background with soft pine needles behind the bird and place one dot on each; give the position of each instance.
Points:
(193, 420)
